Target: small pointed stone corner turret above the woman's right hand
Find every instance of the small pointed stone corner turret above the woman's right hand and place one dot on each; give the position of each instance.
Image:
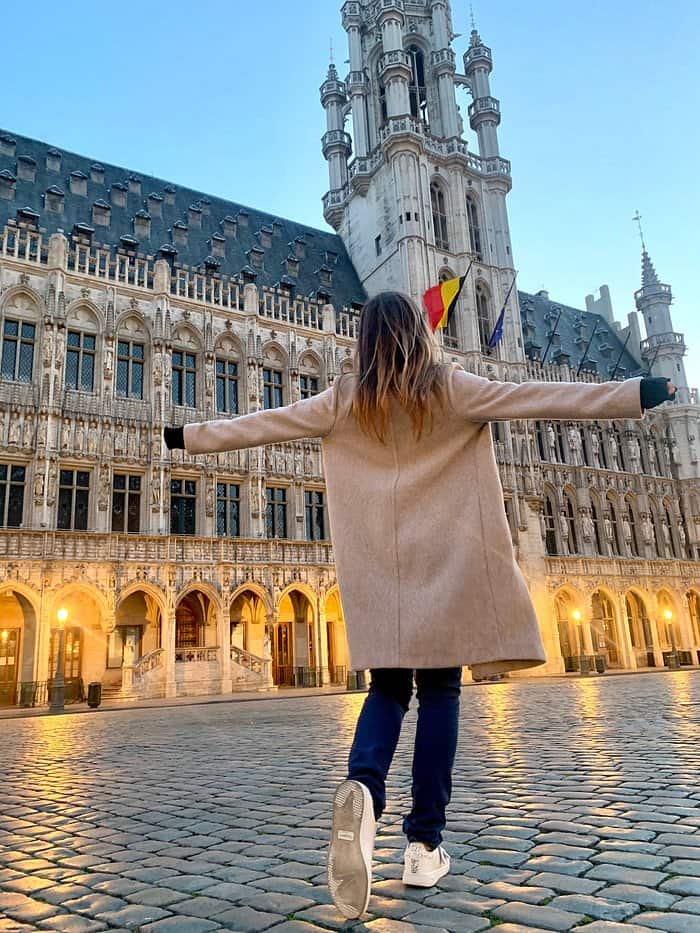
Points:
(663, 349)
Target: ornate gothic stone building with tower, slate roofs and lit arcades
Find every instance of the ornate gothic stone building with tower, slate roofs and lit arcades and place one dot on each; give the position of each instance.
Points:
(127, 303)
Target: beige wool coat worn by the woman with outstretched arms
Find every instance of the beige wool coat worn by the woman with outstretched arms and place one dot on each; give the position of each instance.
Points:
(423, 551)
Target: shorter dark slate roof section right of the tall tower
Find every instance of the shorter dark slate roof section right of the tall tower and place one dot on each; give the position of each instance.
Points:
(539, 315)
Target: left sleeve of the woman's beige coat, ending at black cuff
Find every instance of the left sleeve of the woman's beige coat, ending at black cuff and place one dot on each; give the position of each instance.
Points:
(311, 417)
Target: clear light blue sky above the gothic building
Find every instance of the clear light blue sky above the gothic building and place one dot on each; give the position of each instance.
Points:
(599, 103)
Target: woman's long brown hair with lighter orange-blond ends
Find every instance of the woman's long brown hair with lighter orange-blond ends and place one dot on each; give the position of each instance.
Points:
(396, 355)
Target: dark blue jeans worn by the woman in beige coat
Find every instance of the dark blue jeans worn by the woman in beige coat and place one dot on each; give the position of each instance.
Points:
(377, 734)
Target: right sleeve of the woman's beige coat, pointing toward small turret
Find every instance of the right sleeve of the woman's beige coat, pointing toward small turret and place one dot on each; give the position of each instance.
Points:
(477, 399)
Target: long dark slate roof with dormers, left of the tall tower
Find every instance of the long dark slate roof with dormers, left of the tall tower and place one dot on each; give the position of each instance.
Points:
(278, 238)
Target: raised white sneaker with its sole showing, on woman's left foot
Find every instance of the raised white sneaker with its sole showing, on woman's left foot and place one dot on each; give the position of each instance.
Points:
(350, 852)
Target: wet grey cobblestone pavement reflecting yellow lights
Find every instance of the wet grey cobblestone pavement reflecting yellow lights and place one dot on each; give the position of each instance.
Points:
(576, 805)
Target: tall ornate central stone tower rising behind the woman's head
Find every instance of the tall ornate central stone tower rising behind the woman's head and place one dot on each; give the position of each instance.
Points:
(412, 203)
